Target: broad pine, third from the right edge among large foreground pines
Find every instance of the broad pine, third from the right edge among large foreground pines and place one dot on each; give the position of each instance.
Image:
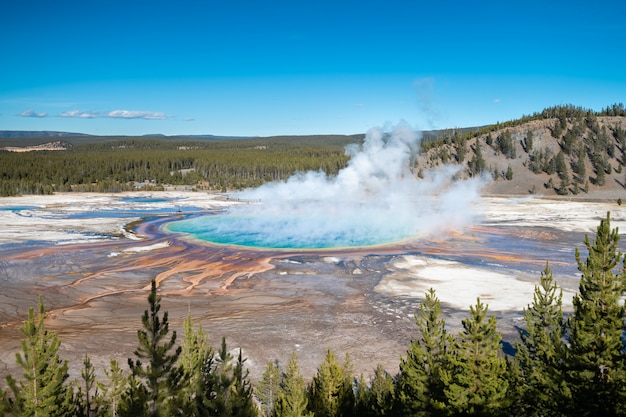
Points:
(477, 384)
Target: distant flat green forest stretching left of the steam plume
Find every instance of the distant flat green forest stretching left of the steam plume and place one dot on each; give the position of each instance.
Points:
(124, 164)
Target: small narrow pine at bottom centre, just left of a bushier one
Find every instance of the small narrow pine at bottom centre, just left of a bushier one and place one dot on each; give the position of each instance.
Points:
(292, 400)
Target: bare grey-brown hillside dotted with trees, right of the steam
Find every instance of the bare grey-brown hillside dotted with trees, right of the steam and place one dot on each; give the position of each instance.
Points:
(562, 150)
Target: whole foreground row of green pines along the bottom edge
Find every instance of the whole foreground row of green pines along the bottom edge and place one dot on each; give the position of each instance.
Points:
(564, 365)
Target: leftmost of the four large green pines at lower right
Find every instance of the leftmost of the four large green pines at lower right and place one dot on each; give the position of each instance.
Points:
(420, 388)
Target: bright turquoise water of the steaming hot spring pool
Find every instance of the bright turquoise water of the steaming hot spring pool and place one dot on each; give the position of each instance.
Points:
(285, 232)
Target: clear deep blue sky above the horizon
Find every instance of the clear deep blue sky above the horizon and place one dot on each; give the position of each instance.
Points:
(255, 68)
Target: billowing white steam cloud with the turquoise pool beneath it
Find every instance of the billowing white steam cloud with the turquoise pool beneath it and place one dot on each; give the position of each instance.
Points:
(375, 199)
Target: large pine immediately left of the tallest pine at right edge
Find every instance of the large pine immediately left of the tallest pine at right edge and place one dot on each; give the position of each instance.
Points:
(541, 352)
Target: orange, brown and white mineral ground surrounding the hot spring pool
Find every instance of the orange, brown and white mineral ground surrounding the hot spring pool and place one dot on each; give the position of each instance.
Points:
(92, 257)
